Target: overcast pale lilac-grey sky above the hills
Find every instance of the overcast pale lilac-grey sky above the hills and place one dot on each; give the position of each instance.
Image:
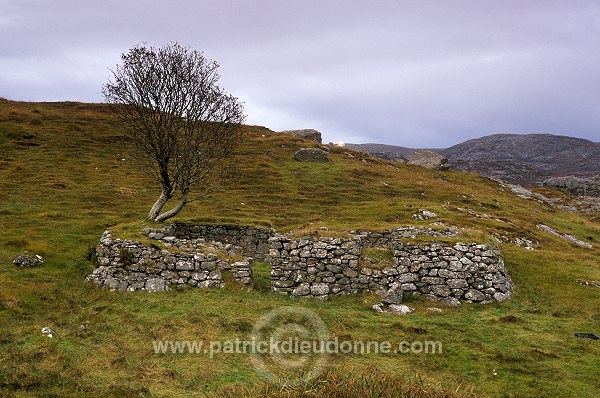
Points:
(413, 73)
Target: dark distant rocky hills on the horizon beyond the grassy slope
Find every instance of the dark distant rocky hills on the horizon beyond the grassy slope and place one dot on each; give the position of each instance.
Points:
(526, 159)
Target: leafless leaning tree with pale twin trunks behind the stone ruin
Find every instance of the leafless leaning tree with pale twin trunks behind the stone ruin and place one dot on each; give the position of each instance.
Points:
(181, 126)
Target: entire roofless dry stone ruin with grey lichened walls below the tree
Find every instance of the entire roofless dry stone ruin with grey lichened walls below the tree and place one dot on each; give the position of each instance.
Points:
(199, 255)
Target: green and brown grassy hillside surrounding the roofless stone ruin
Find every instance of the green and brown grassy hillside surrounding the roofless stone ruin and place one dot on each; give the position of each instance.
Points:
(65, 181)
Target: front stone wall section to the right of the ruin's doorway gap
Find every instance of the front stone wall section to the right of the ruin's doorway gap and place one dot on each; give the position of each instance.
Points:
(322, 266)
